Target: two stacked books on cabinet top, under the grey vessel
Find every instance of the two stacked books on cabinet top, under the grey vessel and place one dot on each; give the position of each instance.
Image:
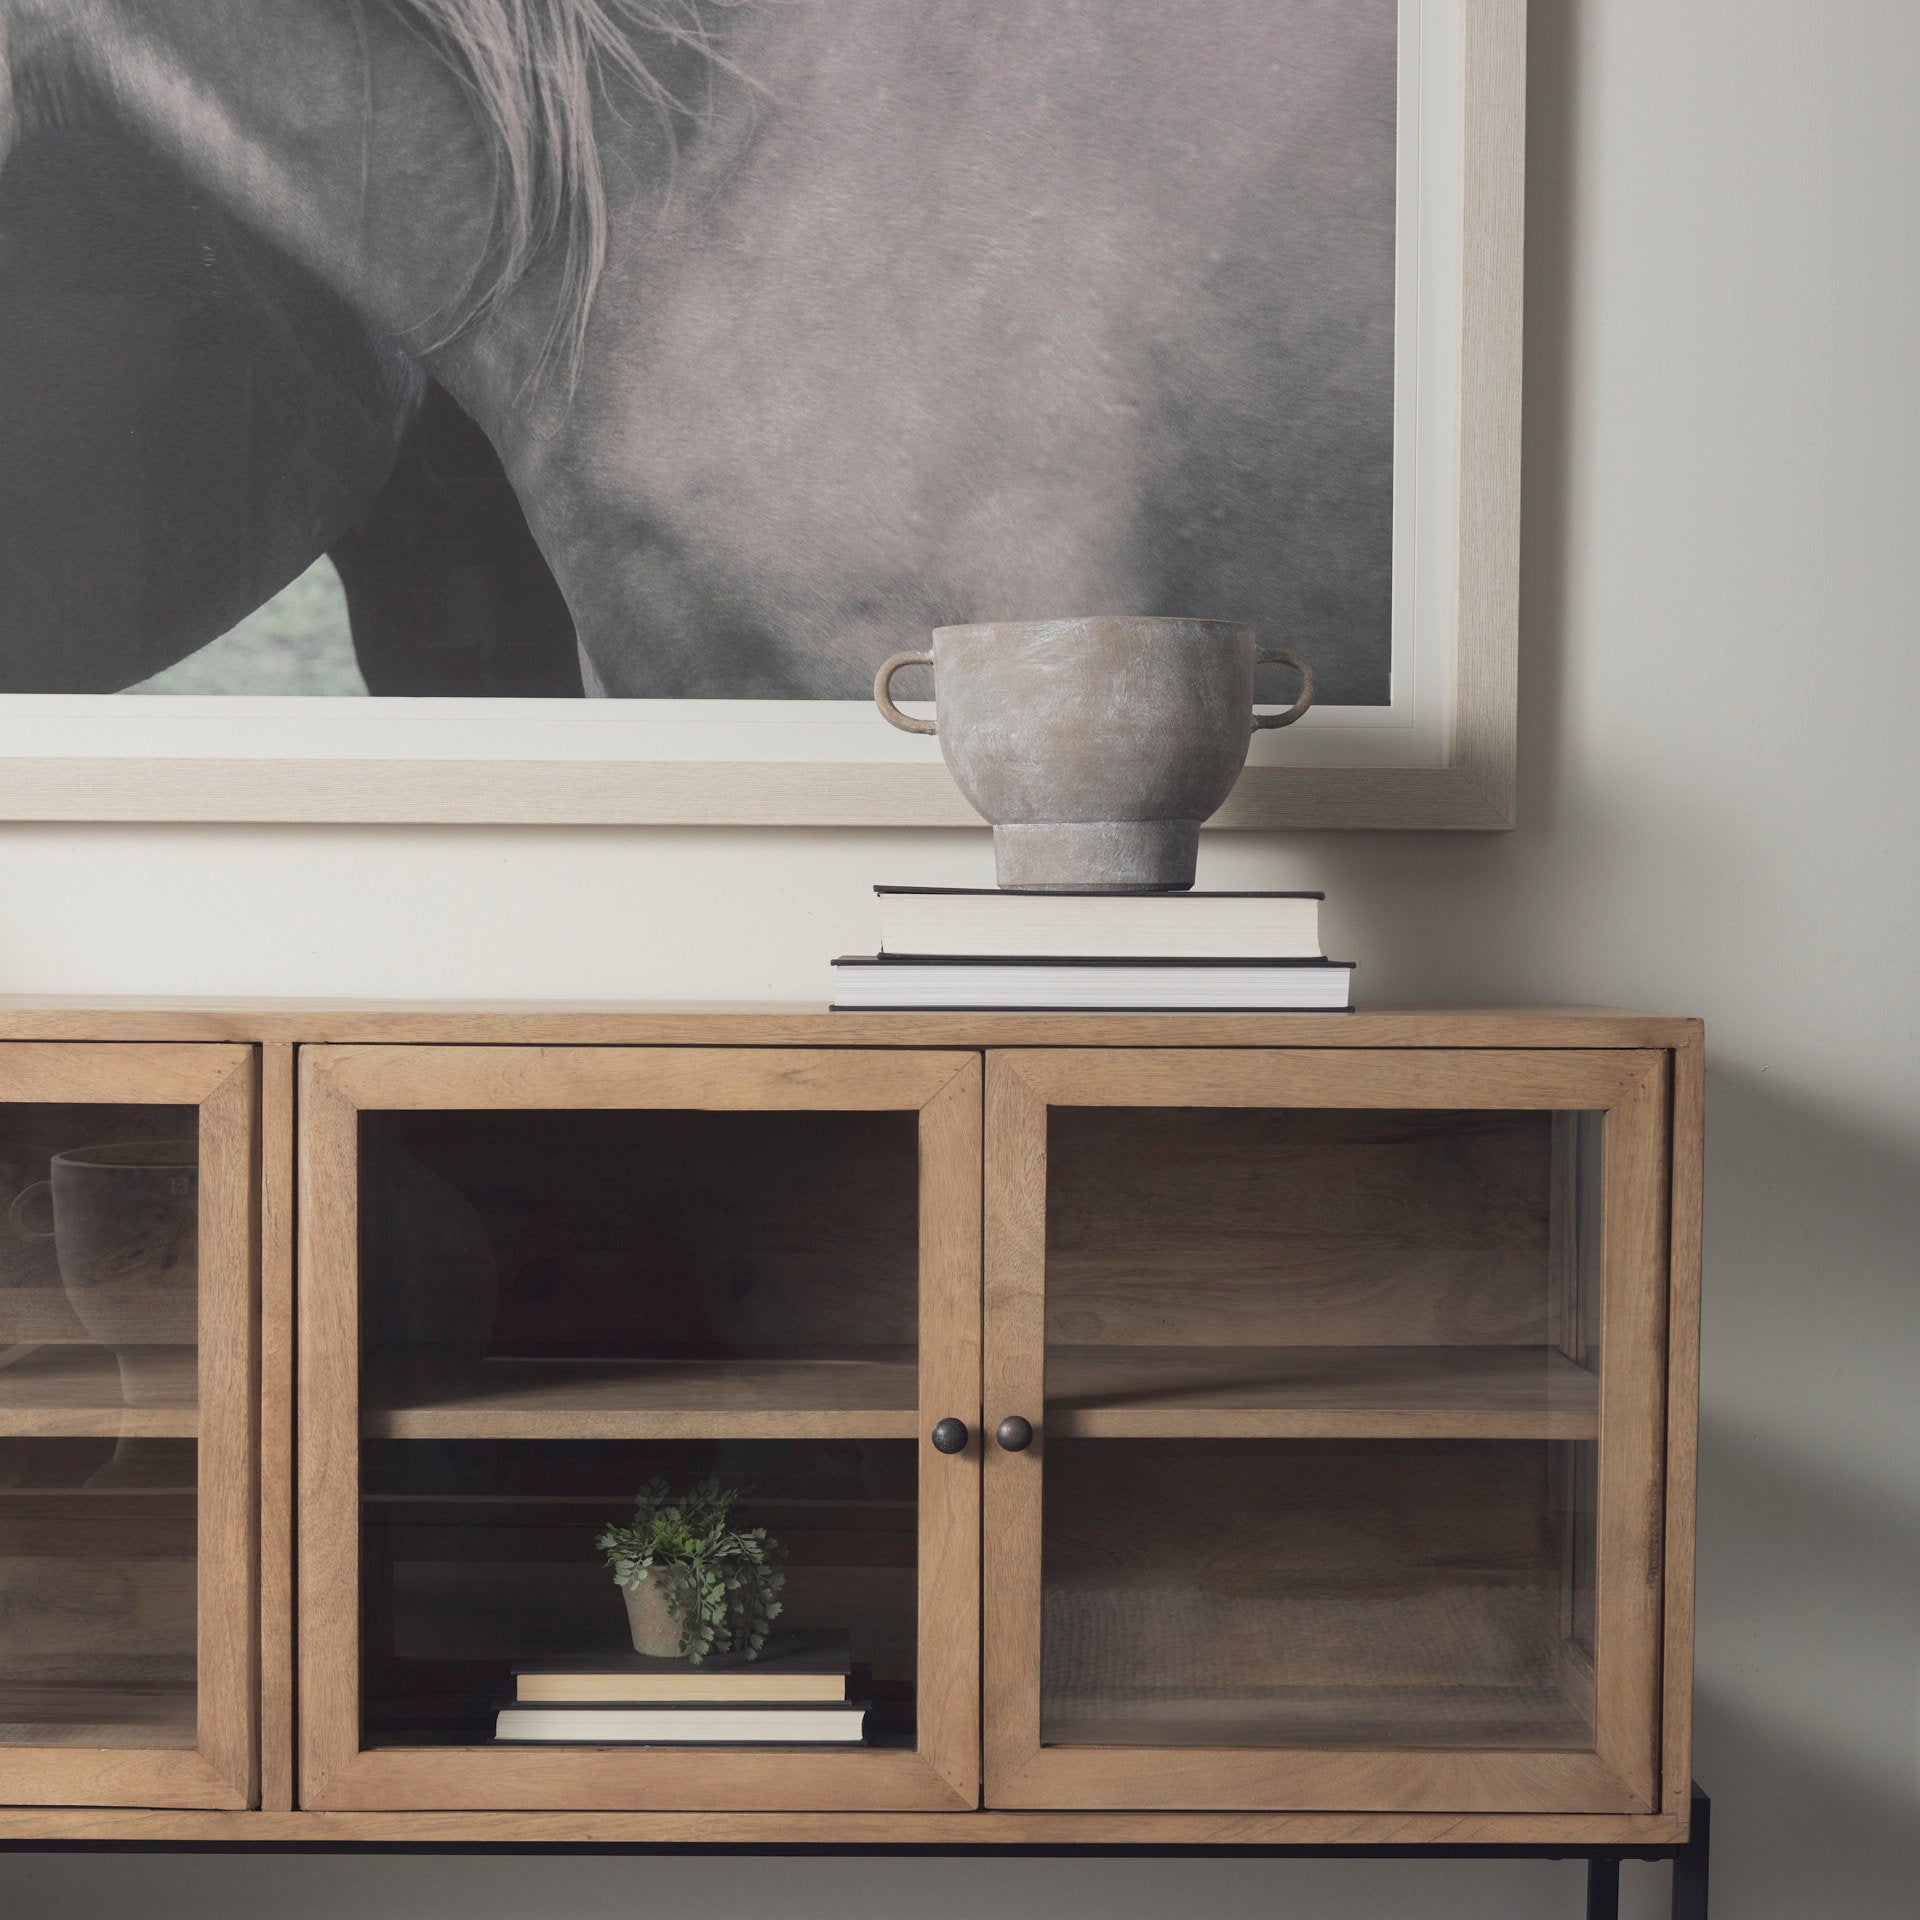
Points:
(976, 949)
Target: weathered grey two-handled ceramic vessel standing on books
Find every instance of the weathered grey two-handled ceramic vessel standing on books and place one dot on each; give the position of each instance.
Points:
(1095, 746)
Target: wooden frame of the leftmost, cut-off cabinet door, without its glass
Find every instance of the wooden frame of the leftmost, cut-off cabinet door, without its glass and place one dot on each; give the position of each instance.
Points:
(218, 1080)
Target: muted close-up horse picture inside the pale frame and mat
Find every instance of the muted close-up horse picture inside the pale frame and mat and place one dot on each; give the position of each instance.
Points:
(692, 350)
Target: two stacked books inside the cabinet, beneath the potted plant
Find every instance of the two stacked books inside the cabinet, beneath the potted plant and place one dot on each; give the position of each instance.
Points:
(794, 1694)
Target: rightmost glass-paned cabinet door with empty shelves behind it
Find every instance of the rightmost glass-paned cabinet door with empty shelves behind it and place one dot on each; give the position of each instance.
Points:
(1335, 1395)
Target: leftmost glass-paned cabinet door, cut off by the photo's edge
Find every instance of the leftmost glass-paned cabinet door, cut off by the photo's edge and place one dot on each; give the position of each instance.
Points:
(126, 1456)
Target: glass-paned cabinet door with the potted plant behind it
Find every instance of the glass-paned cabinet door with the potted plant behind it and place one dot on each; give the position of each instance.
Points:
(544, 1284)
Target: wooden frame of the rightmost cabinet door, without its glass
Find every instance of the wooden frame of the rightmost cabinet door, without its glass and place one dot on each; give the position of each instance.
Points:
(1621, 1773)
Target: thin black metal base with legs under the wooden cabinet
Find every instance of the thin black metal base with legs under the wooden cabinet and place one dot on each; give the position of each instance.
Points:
(1602, 1863)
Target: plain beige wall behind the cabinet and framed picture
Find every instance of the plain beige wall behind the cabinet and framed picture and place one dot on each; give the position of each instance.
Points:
(1719, 817)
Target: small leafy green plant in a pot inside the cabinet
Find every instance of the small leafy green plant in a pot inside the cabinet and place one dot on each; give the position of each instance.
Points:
(694, 1581)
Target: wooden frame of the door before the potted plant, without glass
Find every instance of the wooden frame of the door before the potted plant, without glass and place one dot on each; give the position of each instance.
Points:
(335, 1769)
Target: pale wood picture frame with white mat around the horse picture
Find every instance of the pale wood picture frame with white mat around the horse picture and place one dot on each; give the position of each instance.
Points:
(1443, 757)
